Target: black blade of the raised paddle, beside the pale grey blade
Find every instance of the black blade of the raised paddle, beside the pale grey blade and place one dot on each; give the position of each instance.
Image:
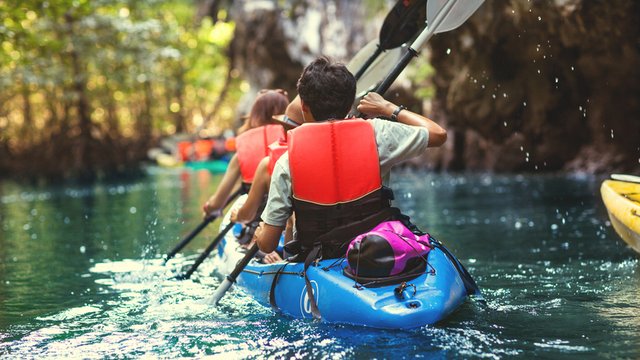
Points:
(403, 22)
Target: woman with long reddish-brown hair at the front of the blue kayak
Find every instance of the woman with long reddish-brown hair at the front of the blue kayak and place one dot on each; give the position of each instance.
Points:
(251, 146)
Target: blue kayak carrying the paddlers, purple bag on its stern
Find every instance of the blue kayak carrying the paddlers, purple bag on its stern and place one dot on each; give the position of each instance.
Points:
(424, 300)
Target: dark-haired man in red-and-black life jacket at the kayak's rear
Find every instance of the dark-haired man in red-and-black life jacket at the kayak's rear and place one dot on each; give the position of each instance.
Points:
(332, 176)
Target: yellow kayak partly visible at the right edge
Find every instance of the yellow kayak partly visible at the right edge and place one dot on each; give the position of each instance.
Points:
(622, 199)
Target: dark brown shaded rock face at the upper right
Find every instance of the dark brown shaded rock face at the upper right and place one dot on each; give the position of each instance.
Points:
(560, 74)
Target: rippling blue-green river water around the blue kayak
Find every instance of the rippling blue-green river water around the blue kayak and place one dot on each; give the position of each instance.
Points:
(81, 275)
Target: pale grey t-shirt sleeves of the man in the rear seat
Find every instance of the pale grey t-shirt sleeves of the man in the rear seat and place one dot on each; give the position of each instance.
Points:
(396, 143)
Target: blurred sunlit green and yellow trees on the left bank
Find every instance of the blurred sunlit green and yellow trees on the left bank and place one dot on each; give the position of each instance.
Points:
(136, 68)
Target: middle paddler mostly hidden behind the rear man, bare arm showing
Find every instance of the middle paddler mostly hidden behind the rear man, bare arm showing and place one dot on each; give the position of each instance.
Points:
(257, 196)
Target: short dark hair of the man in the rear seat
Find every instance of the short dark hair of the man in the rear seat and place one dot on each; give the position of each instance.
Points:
(327, 88)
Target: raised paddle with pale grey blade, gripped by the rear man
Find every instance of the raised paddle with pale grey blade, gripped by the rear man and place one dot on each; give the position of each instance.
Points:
(442, 16)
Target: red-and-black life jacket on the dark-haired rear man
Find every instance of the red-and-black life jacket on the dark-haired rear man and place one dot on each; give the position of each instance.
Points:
(336, 184)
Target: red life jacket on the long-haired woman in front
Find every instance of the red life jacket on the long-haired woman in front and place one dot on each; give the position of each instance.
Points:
(252, 146)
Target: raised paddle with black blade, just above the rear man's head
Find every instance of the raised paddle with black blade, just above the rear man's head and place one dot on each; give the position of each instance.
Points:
(399, 26)
